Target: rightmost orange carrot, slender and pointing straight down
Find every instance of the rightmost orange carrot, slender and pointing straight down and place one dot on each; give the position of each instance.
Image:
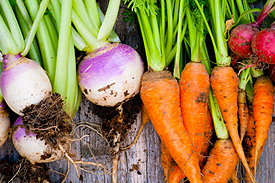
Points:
(263, 103)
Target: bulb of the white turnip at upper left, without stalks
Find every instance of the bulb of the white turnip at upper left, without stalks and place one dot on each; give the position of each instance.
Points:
(23, 82)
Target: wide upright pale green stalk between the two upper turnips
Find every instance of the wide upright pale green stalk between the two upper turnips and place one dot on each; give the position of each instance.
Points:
(61, 72)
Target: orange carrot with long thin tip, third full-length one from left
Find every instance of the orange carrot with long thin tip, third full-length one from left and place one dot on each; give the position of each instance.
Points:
(224, 82)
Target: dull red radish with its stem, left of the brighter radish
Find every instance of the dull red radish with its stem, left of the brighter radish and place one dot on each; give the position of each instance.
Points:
(242, 35)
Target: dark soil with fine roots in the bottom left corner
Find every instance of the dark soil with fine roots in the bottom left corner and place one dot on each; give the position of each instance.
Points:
(23, 171)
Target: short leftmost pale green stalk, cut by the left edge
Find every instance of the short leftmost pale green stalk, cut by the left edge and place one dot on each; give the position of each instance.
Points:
(7, 41)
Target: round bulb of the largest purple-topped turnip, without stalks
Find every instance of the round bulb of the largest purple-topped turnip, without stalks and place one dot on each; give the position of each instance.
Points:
(111, 74)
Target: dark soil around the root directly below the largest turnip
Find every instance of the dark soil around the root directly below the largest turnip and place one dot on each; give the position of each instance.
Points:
(111, 116)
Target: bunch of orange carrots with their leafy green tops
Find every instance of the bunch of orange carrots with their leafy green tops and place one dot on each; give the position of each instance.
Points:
(188, 100)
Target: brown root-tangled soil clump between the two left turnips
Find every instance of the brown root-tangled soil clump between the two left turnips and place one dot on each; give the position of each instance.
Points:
(48, 120)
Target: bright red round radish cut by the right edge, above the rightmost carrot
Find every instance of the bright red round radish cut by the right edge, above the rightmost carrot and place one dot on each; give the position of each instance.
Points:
(263, 45)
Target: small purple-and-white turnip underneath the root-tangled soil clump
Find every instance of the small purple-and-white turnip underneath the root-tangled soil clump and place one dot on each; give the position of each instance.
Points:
(29, 146)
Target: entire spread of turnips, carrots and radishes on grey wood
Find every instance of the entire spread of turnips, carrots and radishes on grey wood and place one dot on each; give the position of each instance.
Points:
(206, 90)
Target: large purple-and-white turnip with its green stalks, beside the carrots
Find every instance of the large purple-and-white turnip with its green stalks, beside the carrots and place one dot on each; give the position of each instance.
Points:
(111, 72)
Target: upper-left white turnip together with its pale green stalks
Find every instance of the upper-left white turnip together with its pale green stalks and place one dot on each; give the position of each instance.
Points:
(23, 81)
